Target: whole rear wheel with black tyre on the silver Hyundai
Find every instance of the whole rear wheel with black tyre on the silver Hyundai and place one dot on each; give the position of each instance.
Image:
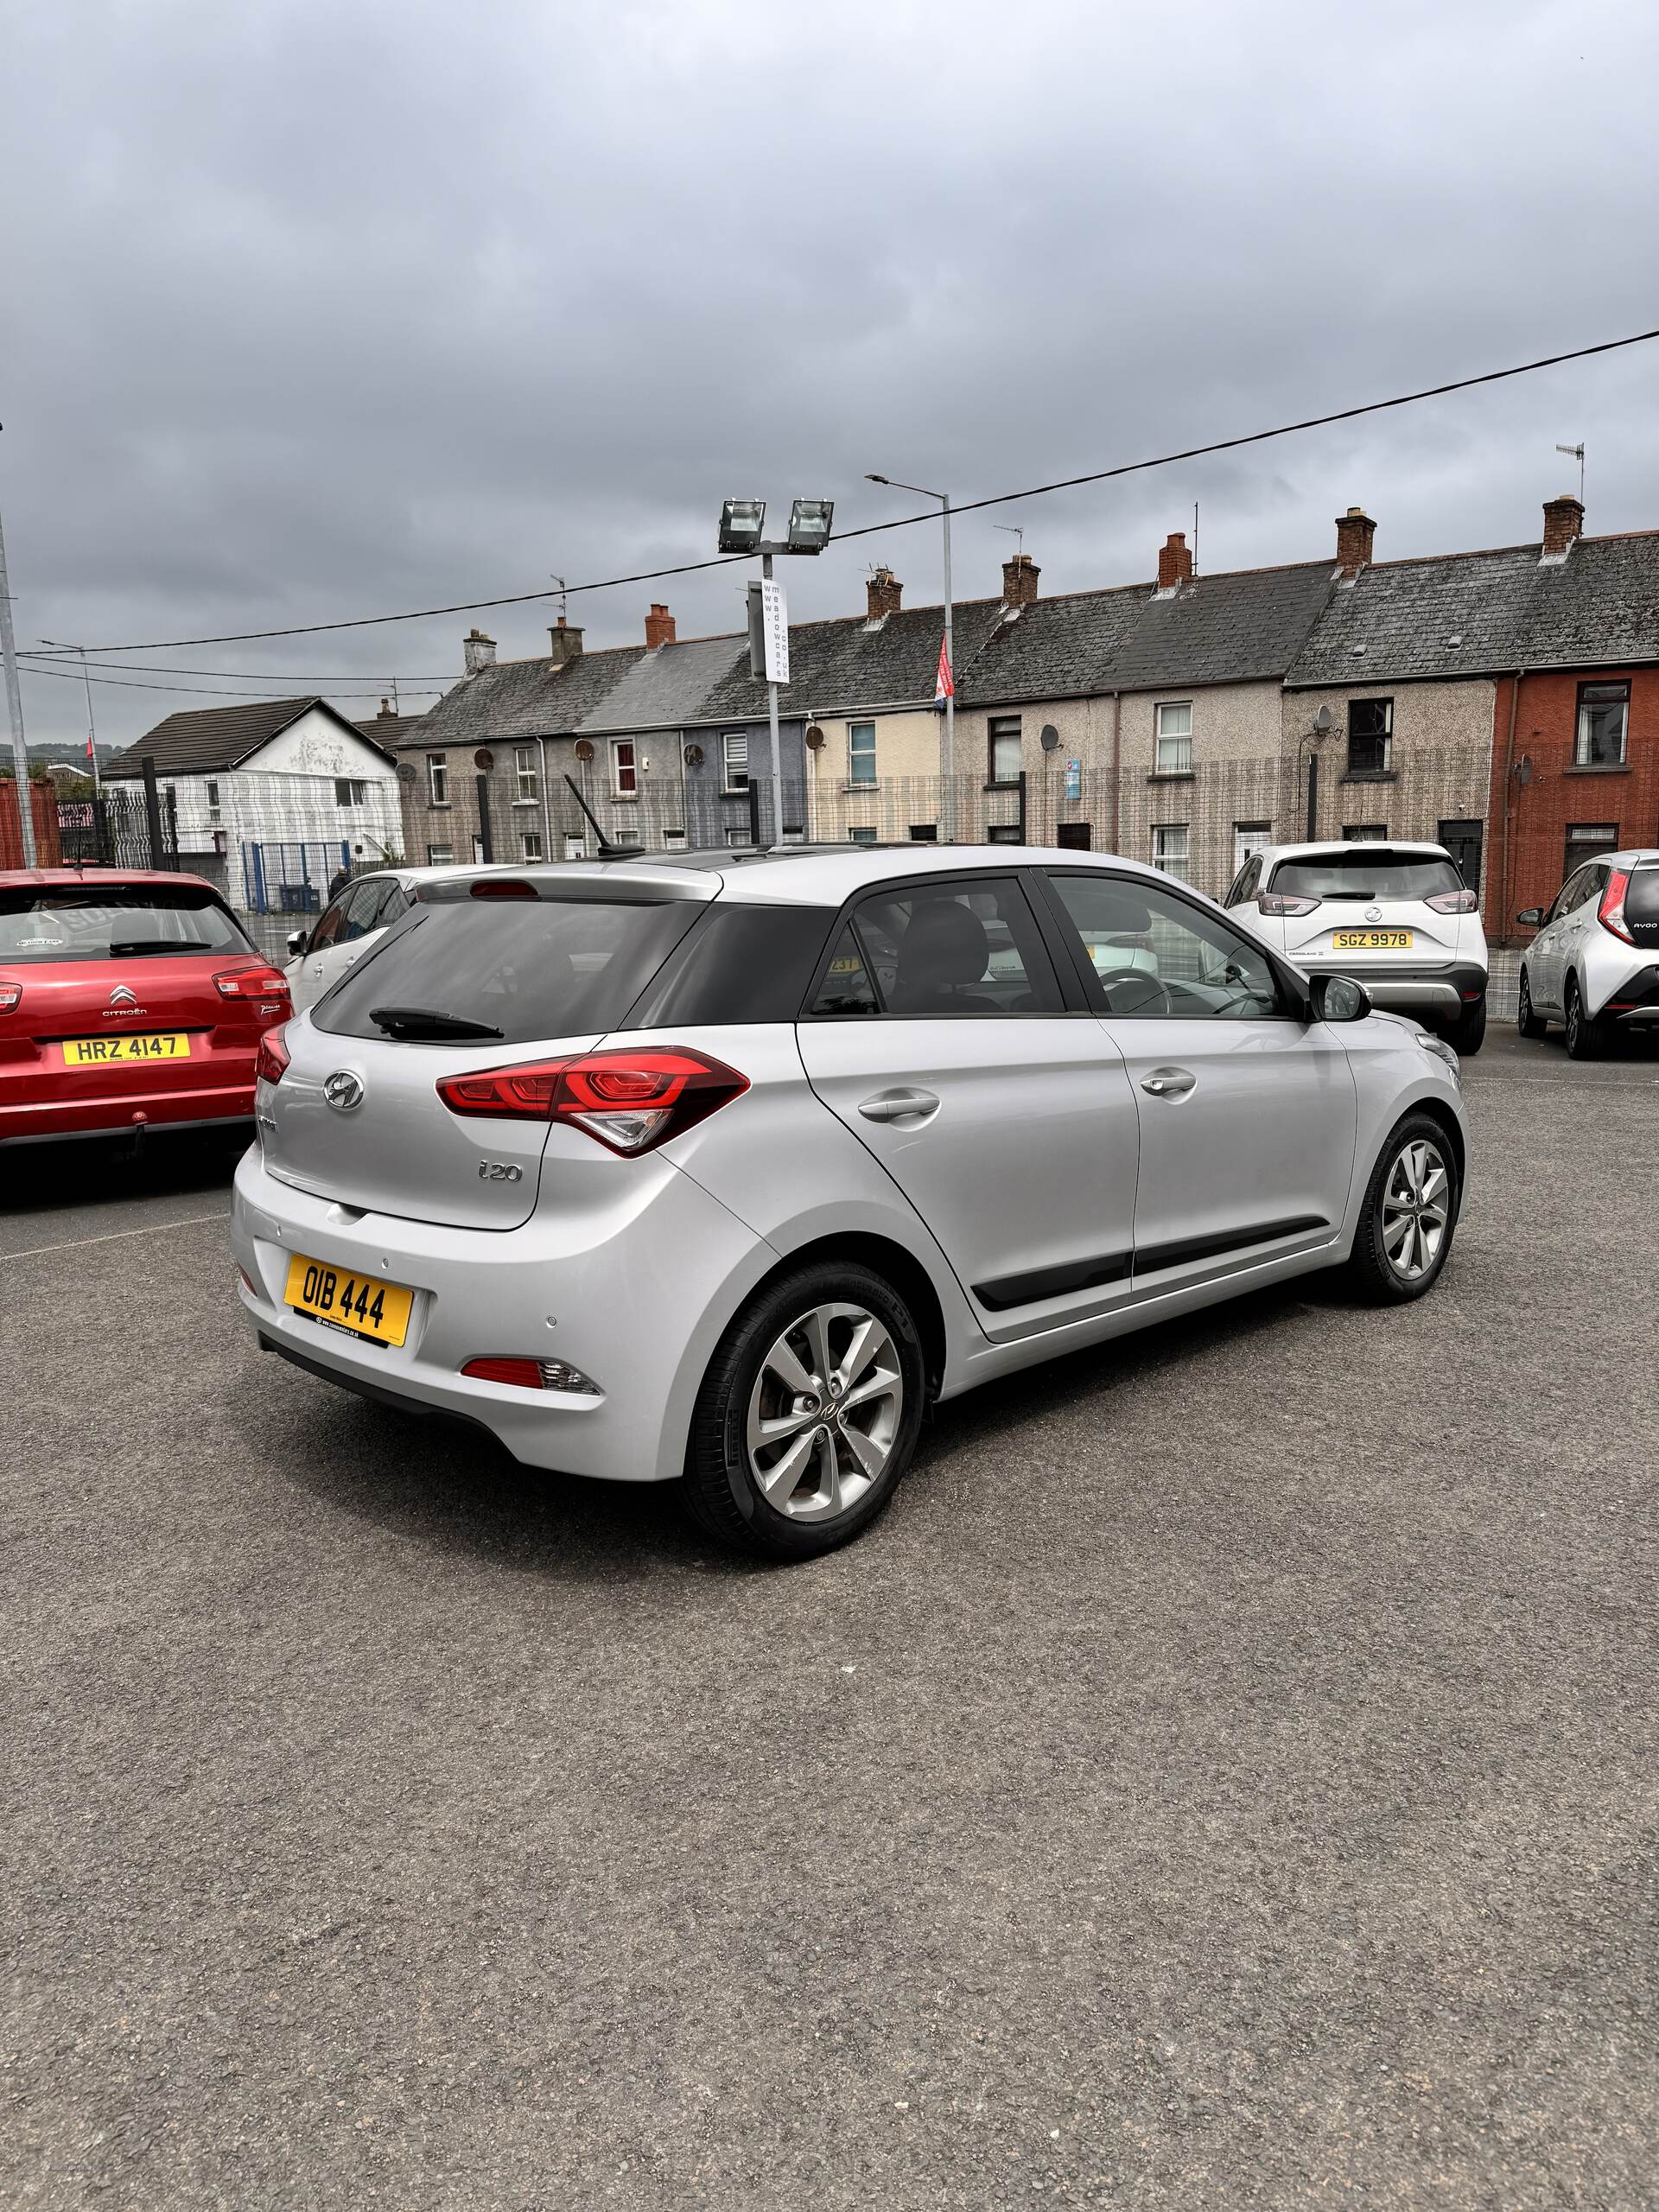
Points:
(808, 1415)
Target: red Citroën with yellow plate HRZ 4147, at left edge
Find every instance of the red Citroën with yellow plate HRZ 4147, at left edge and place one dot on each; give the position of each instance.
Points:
(129, 1003)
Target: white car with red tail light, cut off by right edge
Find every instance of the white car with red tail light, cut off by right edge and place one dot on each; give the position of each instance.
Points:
(1594, 963)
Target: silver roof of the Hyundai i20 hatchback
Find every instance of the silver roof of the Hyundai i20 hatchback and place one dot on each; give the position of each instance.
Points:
(813, 875)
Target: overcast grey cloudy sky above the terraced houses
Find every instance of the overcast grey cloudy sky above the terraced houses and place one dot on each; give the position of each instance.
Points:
(317, 311)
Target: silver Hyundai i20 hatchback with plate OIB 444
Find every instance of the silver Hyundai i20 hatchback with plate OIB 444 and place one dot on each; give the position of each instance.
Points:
(722, 1169)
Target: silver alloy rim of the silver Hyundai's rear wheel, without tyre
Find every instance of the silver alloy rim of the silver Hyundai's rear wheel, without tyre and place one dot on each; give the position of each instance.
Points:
(826, 1412)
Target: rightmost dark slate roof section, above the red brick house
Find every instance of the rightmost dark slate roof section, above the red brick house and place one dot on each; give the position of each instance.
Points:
(1600, 607)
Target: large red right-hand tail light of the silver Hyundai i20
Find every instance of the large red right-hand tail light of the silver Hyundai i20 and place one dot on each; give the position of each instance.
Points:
(627, 1100)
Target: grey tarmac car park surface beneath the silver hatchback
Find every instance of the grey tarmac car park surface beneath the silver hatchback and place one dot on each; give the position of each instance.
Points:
(1224, 1780)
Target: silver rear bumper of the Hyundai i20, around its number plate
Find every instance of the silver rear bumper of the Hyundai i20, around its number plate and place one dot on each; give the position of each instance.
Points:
(638, 1302)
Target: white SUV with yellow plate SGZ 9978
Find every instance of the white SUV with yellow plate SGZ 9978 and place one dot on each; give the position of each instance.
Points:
(1390, 912)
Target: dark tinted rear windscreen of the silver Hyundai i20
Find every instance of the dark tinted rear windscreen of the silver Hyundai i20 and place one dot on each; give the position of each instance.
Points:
(530, 968)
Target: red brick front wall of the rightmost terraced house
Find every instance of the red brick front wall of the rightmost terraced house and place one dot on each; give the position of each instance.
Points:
(1530, 844)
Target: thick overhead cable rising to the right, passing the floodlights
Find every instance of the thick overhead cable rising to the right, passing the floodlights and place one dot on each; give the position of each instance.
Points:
(901, 523)
